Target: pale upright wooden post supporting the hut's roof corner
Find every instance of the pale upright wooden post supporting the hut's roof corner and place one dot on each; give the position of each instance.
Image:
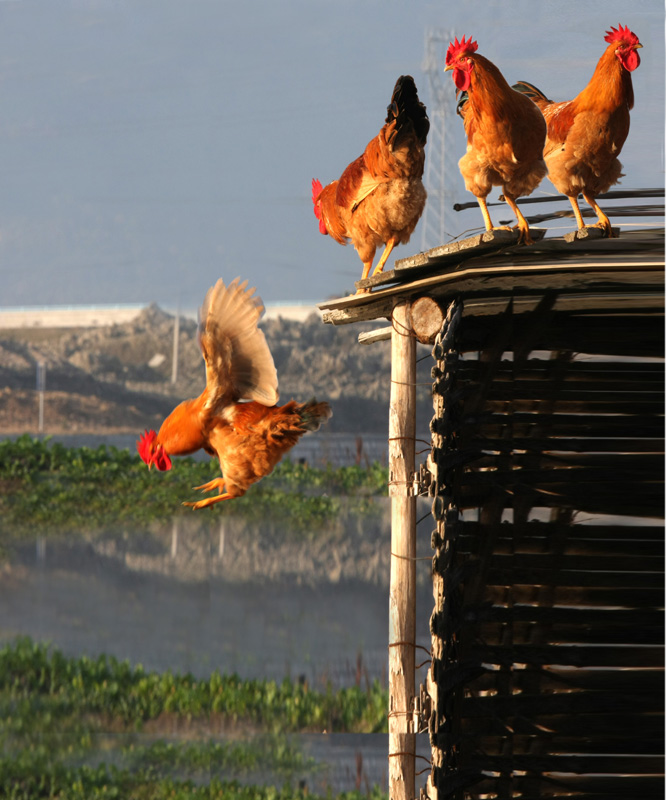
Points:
(402, 600)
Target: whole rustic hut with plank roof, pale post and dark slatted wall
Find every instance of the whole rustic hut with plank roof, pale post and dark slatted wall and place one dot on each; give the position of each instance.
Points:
(545, 475)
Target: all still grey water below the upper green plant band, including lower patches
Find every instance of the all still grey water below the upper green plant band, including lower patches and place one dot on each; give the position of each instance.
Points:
(200, 595)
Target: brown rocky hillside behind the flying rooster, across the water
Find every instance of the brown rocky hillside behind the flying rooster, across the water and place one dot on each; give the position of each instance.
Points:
(118, 378)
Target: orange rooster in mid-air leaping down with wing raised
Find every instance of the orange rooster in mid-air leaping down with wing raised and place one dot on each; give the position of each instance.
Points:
(249, 438)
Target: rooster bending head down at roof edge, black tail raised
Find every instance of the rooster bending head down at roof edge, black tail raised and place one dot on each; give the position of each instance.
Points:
(380, 197)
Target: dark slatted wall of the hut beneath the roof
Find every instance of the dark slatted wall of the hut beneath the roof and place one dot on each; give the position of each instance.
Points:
(547, 481)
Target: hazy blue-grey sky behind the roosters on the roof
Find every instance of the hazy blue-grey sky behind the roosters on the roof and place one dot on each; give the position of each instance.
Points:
(149, 147)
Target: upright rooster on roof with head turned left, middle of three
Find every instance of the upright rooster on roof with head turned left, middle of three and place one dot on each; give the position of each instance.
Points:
(505, 134)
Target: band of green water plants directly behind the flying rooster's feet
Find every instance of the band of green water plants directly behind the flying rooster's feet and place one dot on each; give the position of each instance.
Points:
(59, 489)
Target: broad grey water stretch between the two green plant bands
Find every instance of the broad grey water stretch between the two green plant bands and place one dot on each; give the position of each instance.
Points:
(171, 600)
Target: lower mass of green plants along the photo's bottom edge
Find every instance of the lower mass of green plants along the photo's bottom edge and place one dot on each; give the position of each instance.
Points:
(69, 728)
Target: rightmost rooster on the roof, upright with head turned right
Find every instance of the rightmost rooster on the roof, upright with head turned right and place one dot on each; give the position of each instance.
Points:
(586, 134)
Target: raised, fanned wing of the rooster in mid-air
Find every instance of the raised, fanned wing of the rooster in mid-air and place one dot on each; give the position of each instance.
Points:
(239, 364)
